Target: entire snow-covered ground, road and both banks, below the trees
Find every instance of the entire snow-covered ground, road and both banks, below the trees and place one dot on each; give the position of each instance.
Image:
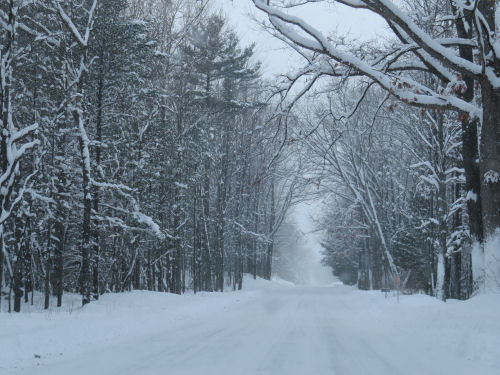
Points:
(268, 328)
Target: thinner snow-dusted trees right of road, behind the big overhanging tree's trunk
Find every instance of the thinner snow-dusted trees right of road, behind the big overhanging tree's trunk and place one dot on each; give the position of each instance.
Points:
(398, 188)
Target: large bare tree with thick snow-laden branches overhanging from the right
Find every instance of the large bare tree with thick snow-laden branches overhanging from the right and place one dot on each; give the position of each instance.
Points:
(464, 56)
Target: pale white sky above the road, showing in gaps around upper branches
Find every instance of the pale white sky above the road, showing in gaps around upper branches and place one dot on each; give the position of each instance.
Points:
(275, 56)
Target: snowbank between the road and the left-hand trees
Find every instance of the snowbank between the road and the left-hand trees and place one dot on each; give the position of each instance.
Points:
(36, 336)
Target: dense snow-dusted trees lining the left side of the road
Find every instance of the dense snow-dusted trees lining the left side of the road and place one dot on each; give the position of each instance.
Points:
(137, 151)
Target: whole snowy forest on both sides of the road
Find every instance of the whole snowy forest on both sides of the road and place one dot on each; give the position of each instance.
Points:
(142, 149)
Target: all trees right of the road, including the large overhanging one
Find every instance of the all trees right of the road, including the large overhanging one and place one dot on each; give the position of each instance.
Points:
(407, 141)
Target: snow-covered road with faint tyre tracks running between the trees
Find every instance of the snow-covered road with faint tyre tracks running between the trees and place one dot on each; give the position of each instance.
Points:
(288, 330)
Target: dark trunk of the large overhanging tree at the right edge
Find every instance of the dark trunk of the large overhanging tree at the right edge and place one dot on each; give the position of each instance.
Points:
(483, 178)
